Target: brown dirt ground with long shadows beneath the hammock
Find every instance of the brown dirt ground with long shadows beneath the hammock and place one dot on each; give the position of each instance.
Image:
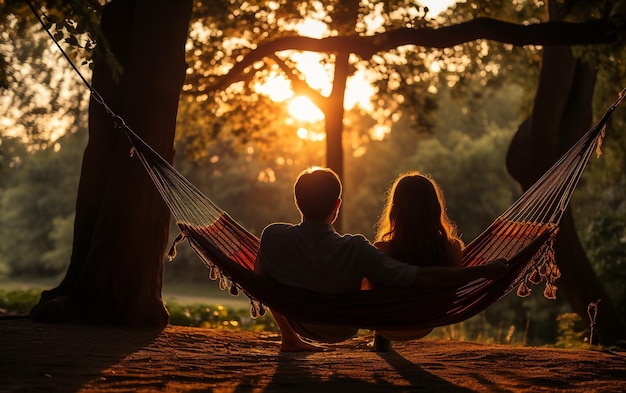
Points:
(38, 357)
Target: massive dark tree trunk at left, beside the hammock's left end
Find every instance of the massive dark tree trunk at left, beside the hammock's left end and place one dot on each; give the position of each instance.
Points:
(121, 226)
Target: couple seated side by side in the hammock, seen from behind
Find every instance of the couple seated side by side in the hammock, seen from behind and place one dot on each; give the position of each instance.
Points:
(416, 246)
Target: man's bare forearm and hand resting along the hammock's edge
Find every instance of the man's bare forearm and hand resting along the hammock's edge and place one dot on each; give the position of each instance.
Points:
(441, 276)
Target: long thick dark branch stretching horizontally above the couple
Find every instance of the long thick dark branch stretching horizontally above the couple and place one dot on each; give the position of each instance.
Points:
(548, 33)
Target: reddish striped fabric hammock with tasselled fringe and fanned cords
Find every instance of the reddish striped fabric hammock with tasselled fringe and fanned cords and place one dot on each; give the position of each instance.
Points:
(524, 235)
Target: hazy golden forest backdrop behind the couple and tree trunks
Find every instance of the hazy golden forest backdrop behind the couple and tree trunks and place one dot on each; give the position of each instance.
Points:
(462, 142)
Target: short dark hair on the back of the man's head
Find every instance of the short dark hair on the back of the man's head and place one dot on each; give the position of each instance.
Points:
(316, 191)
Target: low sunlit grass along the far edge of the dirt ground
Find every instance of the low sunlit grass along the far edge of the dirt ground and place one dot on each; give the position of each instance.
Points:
(205, 305)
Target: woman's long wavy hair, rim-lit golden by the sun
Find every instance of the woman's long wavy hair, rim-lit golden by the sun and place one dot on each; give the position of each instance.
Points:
(415, 224)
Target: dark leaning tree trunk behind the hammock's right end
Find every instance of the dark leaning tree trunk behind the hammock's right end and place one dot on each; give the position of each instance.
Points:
(562, 112)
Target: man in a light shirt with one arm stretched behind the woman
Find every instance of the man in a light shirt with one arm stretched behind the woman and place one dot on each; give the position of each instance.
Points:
(312, 255)
